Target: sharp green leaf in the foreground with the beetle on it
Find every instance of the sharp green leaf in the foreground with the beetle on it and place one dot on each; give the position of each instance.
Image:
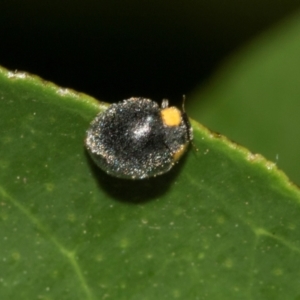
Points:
(223, 224)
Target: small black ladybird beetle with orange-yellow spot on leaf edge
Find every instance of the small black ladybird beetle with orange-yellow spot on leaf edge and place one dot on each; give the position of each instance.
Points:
(137, 139)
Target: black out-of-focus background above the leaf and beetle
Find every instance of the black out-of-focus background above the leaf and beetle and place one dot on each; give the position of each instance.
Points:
(113, 50)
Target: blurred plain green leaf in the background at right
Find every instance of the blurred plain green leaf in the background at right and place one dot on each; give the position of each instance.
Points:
(254, 99)
